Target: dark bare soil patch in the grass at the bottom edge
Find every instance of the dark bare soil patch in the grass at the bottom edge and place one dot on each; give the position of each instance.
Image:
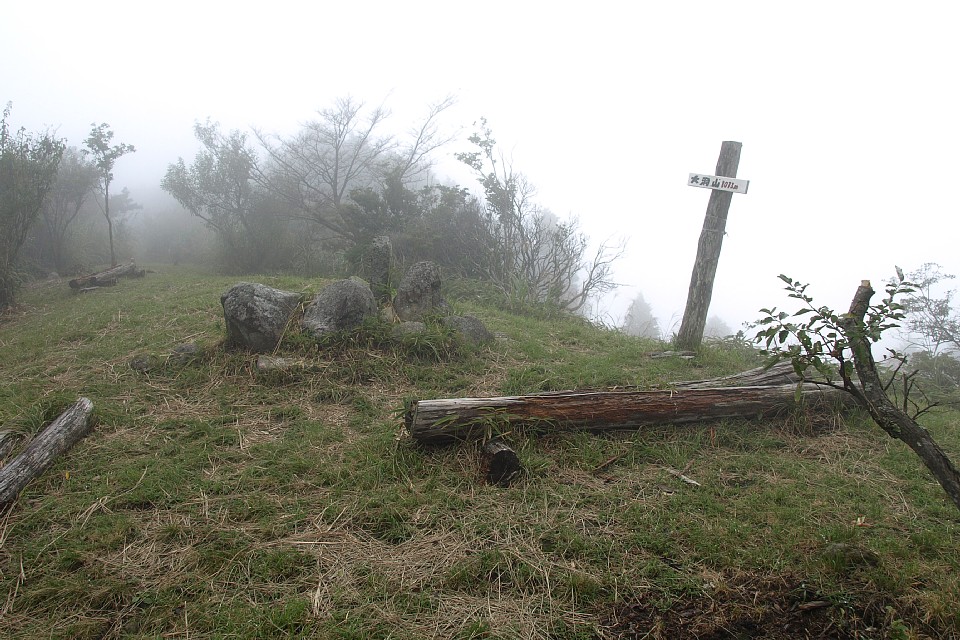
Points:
(750, 606)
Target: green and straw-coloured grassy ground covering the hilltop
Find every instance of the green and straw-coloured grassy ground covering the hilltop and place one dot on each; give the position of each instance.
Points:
(215, 501)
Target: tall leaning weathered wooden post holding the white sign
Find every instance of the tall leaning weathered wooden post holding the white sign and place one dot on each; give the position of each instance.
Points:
(708, 253)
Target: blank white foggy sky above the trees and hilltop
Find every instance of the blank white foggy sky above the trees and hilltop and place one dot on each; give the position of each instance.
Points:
(848, 113)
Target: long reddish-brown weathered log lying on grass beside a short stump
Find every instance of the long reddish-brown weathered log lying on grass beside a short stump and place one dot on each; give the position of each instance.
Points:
(449, 420)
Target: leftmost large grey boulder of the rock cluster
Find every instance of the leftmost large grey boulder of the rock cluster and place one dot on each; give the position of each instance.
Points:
(256, 315)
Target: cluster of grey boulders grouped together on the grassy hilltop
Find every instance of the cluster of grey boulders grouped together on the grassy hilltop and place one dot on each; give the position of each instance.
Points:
(257, 316)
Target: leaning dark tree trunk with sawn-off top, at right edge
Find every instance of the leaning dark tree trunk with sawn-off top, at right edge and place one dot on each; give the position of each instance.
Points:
(872, 396)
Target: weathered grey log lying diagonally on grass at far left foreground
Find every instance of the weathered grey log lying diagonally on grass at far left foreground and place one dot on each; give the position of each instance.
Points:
(64, 432)
